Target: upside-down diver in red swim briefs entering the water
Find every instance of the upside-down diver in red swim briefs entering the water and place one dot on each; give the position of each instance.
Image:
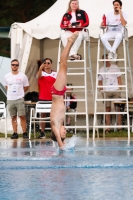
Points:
(57, 114)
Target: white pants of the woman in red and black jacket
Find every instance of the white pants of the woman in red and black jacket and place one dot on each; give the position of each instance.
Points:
(77, 43)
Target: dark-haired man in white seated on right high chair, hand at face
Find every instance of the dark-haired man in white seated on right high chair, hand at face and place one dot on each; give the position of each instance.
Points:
(115, 22)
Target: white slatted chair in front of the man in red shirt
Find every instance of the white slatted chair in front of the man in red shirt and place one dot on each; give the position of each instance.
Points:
(41, 107)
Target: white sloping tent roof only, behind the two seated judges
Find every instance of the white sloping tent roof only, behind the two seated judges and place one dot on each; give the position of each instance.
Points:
(47, 25)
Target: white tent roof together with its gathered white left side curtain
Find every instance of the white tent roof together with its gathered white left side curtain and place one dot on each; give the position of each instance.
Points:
(47, 25)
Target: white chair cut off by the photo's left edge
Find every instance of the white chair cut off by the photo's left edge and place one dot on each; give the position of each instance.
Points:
(3, 115)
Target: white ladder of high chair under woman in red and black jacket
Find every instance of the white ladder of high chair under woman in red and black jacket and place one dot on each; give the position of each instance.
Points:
(80, 70)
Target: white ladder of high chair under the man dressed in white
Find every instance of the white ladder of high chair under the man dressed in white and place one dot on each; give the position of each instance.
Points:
(123, 86)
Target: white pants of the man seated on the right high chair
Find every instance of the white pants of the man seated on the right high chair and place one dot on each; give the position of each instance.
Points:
(117, 35)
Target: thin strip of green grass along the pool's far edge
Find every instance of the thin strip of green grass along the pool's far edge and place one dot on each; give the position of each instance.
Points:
(112, 134)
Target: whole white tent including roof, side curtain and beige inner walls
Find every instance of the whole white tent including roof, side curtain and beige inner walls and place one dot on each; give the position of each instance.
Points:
(38, 38)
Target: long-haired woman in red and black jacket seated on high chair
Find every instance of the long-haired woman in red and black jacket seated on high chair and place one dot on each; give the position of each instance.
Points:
(74, 14)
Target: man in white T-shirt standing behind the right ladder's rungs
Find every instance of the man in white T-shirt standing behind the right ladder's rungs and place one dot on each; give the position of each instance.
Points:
(110, 92)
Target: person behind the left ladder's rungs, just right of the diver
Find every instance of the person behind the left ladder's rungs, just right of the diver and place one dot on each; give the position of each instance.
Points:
(70, 107)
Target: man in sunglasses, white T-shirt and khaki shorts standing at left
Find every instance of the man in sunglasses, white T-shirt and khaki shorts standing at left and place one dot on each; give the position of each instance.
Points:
(16, 83)
